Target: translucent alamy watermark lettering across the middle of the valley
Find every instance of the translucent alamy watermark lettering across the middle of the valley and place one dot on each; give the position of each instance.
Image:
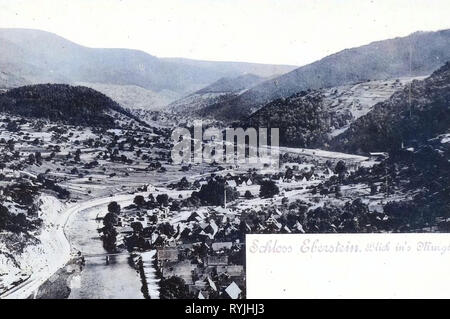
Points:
(230, 146)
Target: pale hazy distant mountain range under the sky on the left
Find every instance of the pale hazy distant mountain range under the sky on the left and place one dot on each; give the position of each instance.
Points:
(41, 57)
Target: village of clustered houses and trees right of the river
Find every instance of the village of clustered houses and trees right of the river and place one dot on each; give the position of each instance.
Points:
(197, 226)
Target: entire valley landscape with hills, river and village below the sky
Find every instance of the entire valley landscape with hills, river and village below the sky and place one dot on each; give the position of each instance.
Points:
(92, 204)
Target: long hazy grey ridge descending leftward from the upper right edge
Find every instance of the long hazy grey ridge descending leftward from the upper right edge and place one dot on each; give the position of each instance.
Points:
(376, 61)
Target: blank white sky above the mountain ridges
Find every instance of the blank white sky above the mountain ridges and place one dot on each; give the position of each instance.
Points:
(293, 32)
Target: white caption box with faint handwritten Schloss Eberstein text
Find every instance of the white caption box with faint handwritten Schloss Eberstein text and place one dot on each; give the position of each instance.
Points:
(348, 266)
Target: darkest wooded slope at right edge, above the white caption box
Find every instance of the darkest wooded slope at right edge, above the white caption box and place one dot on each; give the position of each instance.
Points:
(413, 126)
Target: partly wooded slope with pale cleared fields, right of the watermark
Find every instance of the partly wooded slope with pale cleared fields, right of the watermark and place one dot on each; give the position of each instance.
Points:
(310, 118)
